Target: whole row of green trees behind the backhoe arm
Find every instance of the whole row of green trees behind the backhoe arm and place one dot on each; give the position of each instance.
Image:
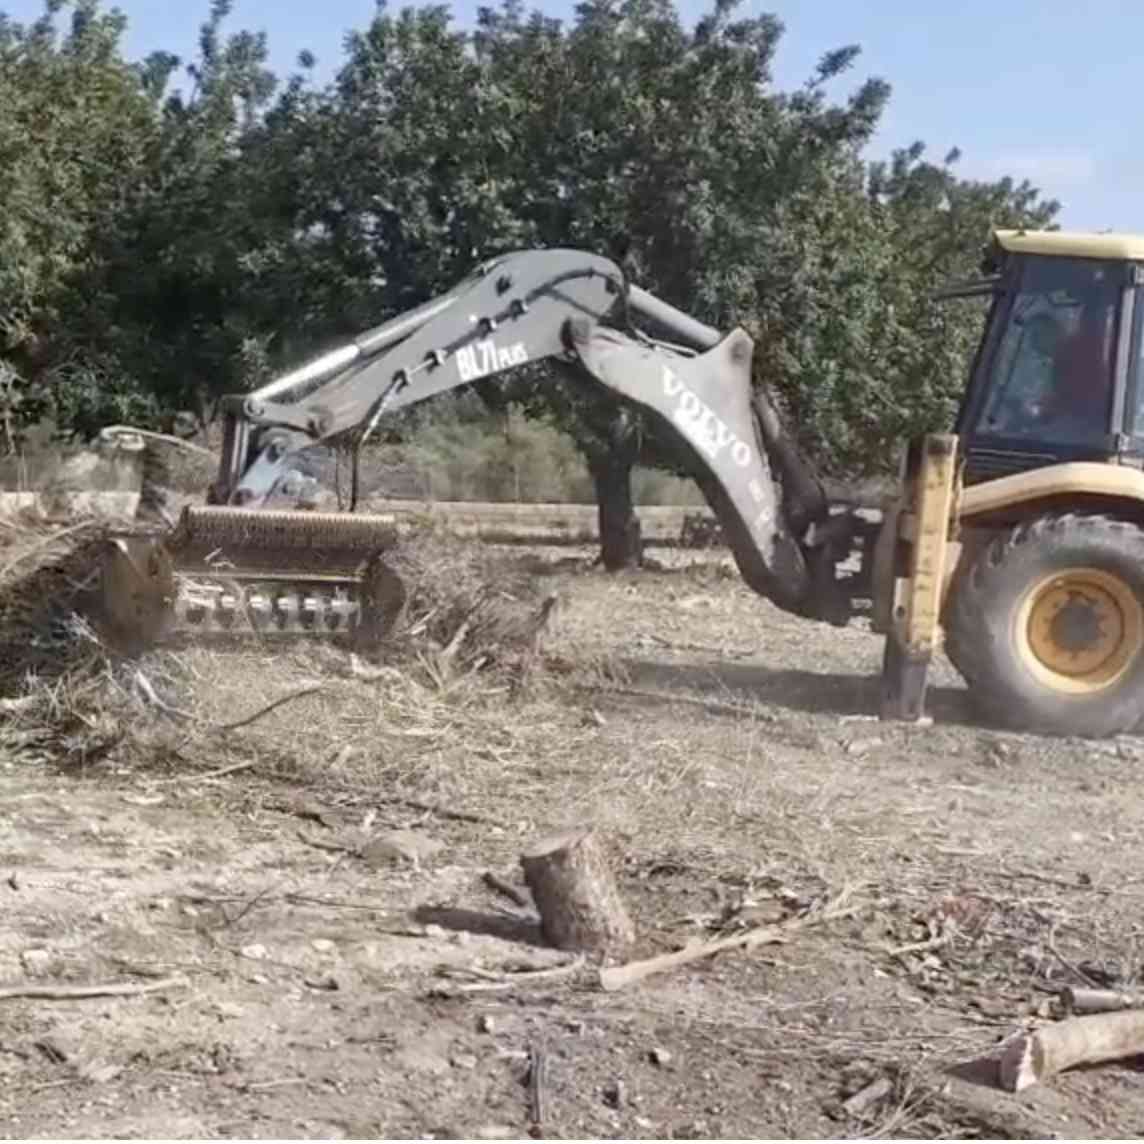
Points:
(164, 245)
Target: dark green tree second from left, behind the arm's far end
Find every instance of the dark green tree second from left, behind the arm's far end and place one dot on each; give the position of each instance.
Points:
(174, 287)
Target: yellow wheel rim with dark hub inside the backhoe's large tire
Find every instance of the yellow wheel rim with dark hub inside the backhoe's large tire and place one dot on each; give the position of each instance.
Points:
(1079, 631)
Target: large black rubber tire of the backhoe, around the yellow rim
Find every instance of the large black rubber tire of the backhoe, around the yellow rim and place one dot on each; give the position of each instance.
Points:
(982, 613)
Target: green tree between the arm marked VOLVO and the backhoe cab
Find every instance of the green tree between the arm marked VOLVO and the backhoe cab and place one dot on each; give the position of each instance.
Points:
(849, 336)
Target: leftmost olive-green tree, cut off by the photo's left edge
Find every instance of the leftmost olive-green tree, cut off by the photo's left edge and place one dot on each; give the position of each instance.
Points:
(75, 130)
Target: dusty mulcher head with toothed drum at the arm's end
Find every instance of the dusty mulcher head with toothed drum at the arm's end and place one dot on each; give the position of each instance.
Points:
(234, 571)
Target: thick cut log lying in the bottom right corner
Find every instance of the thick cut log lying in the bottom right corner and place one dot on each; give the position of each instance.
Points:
(1038, 1058)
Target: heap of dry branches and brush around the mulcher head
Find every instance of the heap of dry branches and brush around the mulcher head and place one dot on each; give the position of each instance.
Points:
(466, 621)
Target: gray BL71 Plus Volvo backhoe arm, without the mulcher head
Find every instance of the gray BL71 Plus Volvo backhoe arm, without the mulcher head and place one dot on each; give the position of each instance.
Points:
(545, 305)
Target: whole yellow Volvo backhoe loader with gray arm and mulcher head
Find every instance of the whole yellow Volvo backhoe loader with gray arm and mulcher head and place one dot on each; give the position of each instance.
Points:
(1015, 538)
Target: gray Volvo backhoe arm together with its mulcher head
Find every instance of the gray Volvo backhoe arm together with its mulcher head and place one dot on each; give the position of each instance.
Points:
(557, 306)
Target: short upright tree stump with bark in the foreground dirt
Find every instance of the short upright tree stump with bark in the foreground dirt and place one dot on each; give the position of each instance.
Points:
(576, 894)
